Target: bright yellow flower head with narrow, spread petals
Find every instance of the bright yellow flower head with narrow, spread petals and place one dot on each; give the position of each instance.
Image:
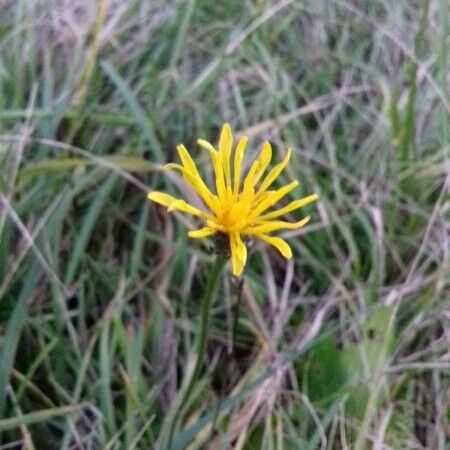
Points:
(236, 208)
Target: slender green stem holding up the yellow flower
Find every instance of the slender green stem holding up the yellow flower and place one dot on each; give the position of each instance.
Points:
(200, 345)
